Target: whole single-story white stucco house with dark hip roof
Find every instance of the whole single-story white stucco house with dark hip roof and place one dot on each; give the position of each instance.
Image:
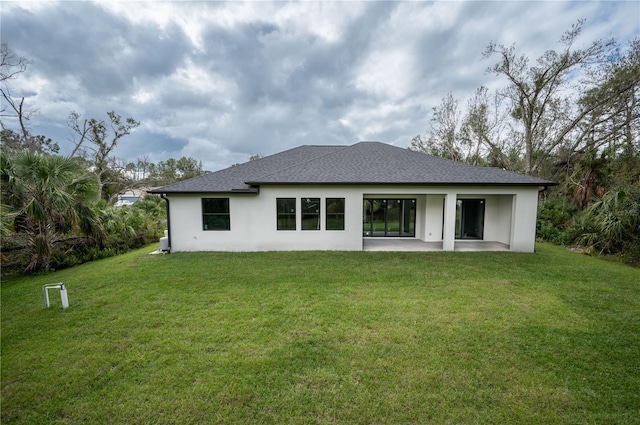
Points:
(342, 197)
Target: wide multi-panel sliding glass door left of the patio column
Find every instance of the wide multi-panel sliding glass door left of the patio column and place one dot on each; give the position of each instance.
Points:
(389, 217)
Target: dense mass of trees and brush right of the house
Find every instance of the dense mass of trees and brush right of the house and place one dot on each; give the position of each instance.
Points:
(571, 115)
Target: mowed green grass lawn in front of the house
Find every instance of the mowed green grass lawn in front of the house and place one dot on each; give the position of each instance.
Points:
(326, 338)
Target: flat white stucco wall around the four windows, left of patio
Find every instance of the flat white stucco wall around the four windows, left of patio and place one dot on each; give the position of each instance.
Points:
(253, 222)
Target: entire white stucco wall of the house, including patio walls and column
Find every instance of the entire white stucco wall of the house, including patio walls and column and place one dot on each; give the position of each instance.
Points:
(510, 217)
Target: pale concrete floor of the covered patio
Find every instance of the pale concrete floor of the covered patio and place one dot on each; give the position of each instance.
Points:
(406, 244)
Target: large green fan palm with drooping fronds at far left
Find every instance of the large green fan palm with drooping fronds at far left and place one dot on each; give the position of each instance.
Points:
(49, 198)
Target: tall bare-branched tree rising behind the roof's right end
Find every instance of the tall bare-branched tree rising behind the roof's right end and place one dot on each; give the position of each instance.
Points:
(545, 95)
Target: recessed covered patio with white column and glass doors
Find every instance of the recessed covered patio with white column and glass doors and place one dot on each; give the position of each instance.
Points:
(449, 219)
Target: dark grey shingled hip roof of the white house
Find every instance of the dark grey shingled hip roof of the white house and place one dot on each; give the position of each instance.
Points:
(362, 163)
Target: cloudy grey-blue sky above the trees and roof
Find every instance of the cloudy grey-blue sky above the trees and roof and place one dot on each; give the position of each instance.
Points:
(222, 81)
